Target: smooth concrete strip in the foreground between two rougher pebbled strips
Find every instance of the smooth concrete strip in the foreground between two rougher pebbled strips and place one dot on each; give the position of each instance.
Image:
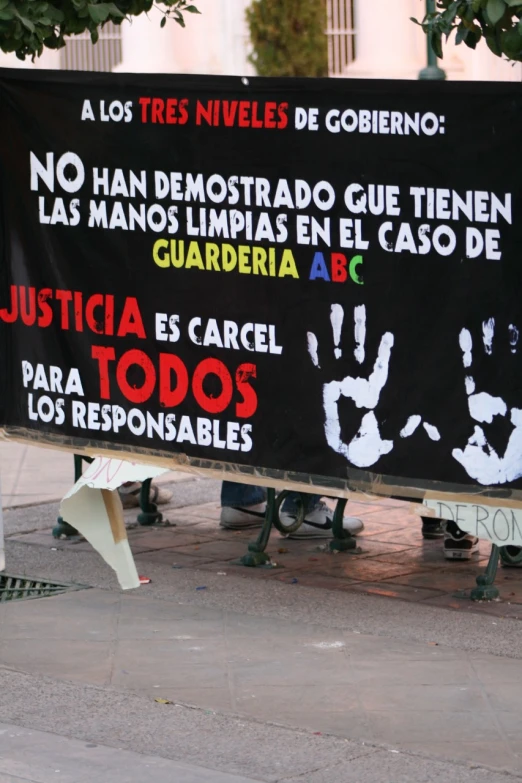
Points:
(424, 698)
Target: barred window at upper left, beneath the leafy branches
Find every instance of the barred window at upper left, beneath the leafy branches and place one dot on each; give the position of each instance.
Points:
(81, 54)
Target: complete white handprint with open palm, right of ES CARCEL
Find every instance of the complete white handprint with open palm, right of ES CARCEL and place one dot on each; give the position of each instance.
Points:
(366, 446)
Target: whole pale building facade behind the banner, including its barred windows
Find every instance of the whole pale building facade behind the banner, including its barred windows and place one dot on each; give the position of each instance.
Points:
(364, 40)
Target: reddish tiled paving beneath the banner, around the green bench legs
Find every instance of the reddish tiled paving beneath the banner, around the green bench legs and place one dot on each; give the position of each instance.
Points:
(393, 560)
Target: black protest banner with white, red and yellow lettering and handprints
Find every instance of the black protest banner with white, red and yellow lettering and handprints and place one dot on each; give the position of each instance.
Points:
(317, 278)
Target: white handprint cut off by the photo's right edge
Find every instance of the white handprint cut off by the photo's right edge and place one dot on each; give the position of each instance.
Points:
(479, 458)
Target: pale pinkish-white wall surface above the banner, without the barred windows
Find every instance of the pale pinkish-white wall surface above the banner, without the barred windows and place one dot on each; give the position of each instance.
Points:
(388, 45)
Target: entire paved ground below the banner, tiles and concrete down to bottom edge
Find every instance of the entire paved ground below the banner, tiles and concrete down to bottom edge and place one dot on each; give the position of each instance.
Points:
(219, 673)
